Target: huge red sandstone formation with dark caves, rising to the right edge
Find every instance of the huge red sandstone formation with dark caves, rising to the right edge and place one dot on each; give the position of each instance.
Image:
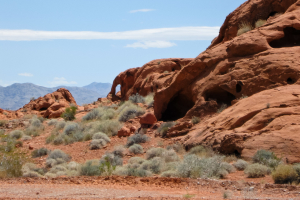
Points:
(262, 64)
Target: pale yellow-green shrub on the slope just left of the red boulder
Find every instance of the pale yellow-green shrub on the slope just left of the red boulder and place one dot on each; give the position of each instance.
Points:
(129, 111)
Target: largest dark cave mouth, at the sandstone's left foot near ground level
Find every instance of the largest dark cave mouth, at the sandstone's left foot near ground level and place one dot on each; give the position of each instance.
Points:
(177, 108)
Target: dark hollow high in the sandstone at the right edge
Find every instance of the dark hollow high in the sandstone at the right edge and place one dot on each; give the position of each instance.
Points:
(291, 38)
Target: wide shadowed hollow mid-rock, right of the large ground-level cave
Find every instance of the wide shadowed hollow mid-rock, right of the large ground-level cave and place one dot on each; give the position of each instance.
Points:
(219, 95)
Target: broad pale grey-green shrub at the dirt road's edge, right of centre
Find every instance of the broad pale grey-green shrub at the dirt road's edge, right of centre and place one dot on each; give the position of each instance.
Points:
(193, 166)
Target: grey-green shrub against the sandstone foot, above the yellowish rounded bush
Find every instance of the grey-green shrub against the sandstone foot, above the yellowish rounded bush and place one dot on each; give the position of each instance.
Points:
(267, 158)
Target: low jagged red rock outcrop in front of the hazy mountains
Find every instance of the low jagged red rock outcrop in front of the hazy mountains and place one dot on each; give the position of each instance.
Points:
(52, 105)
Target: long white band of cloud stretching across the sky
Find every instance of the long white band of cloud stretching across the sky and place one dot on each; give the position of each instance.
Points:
(159, 34)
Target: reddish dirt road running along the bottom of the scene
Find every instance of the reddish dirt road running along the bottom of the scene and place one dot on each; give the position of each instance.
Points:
(141, 188)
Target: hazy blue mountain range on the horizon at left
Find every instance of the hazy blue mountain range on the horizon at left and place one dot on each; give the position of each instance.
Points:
(17, 95)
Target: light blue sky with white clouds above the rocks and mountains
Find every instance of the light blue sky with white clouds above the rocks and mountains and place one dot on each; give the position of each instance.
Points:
(77, 42)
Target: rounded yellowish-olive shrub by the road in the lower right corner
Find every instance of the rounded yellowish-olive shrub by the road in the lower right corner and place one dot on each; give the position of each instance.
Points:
(284, 174)
